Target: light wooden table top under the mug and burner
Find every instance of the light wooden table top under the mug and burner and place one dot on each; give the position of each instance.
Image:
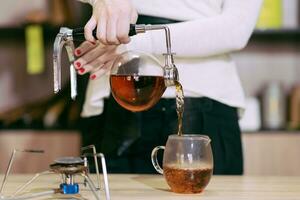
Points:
(144, 187)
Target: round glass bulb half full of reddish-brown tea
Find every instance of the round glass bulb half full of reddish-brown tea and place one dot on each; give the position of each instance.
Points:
(137, 81)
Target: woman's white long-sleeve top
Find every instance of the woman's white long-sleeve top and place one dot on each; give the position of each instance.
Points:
(203, 43)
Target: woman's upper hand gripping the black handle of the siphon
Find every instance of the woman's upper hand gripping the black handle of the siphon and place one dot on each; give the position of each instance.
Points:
(112, 18)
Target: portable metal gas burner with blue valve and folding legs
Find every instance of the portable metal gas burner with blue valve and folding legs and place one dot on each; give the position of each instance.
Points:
(67, 168)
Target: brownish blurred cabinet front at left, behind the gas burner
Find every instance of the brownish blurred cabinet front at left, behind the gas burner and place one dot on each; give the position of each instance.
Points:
(54, 143)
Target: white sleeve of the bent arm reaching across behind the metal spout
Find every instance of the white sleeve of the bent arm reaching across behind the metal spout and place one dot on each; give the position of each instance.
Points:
(227, 32)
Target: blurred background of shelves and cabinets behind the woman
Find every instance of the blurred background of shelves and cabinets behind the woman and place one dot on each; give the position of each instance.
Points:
(31, 116)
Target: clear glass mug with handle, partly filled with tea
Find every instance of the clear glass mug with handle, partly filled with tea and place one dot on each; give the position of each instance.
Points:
(187, 162)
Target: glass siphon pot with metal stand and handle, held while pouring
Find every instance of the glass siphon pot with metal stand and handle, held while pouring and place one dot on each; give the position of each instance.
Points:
(137, 79)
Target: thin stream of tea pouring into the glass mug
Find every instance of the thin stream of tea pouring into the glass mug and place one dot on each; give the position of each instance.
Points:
(179, 106)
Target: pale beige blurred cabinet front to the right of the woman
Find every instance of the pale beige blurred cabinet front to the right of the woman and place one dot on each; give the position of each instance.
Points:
(271, 153)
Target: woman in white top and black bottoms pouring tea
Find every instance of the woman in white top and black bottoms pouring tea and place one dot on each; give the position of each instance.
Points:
(203, 34)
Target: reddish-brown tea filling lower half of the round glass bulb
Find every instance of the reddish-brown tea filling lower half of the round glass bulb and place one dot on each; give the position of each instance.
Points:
(137, 93)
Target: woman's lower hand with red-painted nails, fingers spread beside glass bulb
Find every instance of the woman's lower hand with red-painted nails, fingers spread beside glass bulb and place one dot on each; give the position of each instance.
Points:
(94, 58)
